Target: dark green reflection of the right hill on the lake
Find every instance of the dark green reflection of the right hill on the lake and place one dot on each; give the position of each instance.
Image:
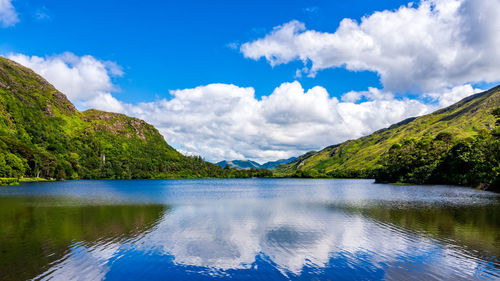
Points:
(476, 226)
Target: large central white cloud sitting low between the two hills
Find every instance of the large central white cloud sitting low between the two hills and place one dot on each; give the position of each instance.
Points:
(221, 121)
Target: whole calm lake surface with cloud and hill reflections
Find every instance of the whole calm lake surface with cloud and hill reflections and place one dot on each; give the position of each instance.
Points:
(249, 229)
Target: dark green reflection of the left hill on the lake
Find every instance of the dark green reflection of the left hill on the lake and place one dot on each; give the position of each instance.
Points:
(37, 233)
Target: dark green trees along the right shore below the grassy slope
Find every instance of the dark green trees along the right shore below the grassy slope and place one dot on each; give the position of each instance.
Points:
(473, 161)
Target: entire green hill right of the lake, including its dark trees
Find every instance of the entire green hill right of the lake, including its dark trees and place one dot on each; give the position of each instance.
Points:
(431, 145)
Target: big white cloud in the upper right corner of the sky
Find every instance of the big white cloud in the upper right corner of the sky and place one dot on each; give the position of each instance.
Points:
(437, 44)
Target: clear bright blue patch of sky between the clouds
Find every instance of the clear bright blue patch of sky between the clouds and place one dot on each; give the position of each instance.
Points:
(164, 45)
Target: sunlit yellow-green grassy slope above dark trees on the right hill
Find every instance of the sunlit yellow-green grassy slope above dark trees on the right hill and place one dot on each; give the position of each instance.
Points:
(361, 156)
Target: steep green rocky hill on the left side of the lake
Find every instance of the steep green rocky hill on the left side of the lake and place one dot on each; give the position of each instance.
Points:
(43, 135)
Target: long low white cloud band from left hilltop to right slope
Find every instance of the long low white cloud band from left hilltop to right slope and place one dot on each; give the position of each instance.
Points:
(223, 121)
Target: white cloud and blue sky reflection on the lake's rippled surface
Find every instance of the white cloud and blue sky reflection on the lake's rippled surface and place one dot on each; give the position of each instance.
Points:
(304, 241)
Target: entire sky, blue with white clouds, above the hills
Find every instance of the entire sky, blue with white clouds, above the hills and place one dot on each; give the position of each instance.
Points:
(260, 80)
